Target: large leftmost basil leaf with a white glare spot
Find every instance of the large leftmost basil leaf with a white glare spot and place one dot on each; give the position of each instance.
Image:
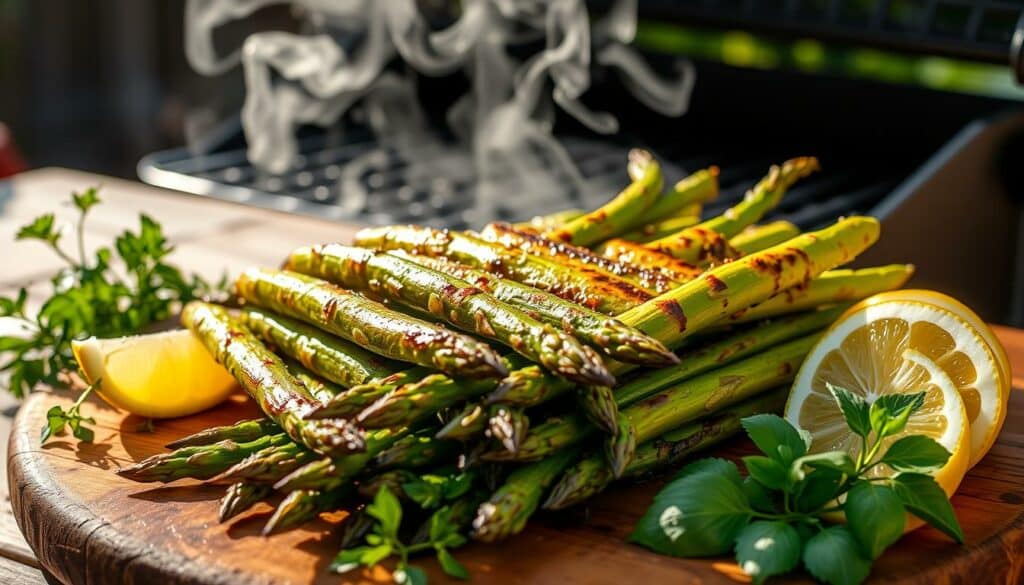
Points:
(700, 515)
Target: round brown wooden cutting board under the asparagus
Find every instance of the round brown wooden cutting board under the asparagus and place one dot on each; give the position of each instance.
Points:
(89, 526)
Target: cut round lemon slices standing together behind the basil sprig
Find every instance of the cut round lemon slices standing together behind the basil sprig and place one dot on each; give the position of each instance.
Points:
(894, 348)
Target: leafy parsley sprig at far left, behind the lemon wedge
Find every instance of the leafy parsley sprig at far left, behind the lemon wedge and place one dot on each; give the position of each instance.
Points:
(119, 290)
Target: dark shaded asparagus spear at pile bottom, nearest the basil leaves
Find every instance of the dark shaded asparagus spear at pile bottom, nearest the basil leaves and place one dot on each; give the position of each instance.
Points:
(592, 474)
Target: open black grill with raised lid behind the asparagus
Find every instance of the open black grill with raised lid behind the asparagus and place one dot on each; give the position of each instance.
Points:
(944, 171)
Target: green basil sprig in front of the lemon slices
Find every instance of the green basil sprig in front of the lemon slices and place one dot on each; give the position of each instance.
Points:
(776, 517)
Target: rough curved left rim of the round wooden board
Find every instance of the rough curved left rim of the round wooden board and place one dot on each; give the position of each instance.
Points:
(78, 547)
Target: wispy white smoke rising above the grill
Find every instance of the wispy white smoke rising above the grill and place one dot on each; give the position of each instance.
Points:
(504, 122)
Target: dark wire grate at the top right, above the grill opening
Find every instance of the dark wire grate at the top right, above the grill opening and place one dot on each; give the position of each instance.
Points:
(968, 29)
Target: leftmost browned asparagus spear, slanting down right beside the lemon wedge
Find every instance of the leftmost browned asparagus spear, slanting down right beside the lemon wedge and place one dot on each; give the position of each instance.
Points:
(267, 380)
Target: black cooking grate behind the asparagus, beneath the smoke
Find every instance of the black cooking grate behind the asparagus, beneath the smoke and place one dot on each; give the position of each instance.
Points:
(327, 173)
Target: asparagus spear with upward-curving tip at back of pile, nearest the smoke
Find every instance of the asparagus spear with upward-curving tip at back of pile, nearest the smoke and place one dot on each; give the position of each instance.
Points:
(623, 212)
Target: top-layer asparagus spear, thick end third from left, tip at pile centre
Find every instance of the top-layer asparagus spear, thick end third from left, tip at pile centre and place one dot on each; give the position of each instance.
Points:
(454, 301)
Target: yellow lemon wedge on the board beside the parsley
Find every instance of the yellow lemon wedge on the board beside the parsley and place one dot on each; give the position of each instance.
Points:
(160, 375)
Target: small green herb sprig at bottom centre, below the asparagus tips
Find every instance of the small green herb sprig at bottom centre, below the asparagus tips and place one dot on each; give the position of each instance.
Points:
(383, 541)
